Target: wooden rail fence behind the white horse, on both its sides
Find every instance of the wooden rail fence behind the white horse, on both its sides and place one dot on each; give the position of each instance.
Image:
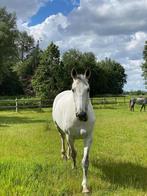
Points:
(42, 103)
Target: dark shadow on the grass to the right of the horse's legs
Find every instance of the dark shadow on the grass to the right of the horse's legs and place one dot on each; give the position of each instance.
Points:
(124, 174)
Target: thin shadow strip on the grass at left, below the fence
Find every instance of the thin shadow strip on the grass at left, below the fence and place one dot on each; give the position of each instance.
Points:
(5, 120)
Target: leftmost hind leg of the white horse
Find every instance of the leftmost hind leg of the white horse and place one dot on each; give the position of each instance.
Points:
(62, 135)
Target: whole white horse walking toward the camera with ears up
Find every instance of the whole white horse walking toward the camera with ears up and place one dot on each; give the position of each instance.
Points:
(74, 117)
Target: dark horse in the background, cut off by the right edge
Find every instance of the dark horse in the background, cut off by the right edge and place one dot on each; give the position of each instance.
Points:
(141, 101)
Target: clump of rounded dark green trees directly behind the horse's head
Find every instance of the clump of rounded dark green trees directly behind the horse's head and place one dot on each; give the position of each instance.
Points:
(107, 76)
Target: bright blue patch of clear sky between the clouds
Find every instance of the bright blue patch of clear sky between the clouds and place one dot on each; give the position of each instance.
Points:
(52, 8)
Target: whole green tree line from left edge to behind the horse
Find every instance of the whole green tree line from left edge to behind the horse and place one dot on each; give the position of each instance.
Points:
(27, 69)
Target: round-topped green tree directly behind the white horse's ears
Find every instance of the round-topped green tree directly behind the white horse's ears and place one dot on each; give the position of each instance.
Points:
(81, 61)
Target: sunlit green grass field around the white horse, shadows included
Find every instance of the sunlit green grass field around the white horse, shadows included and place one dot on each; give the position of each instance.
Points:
(30, 162)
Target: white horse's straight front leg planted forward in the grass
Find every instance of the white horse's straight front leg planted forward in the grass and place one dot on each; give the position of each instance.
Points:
(85, 163)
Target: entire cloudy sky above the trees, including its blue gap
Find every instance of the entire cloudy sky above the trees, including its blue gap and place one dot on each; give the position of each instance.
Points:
(116, 29)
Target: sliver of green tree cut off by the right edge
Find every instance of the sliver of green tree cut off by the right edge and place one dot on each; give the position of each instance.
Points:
(144, 64)
